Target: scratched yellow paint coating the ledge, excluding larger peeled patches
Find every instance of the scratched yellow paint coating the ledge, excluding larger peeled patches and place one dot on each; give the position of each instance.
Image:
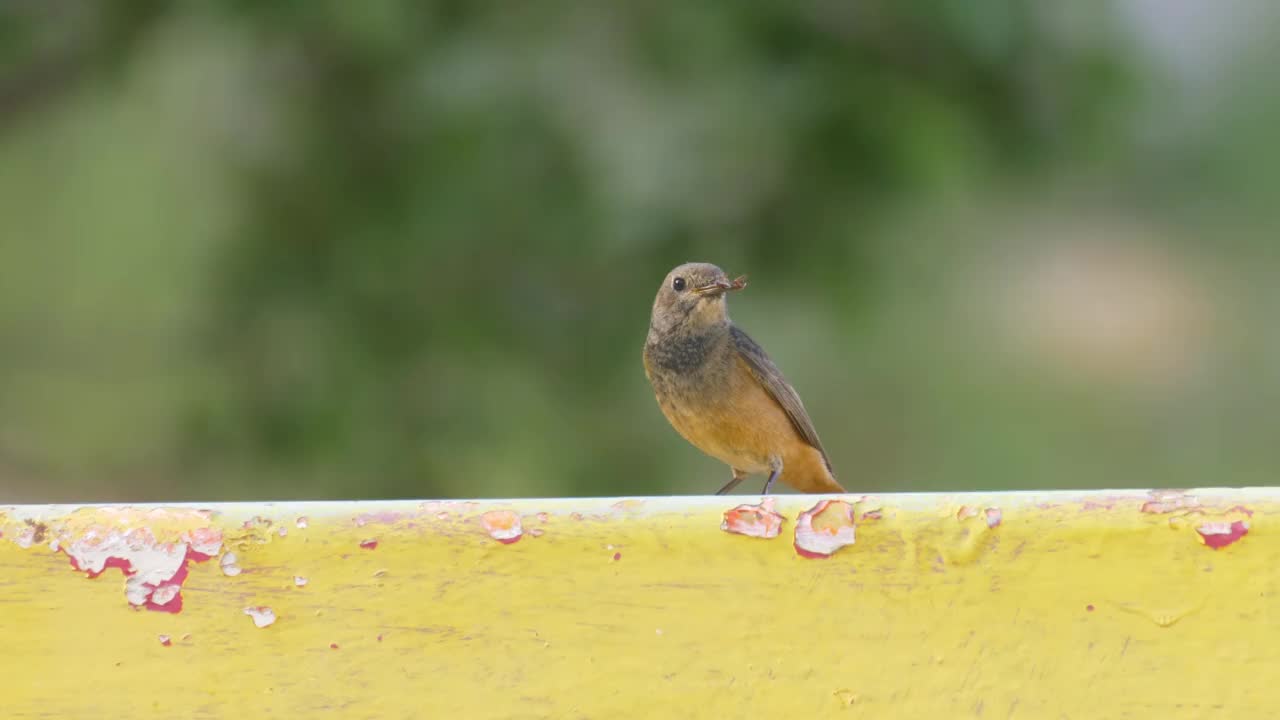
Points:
(1060, 605)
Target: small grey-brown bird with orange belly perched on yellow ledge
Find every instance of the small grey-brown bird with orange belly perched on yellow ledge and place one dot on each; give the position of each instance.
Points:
(721, 391)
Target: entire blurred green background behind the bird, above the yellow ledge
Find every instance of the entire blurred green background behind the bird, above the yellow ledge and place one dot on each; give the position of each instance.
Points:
(345, 250)
